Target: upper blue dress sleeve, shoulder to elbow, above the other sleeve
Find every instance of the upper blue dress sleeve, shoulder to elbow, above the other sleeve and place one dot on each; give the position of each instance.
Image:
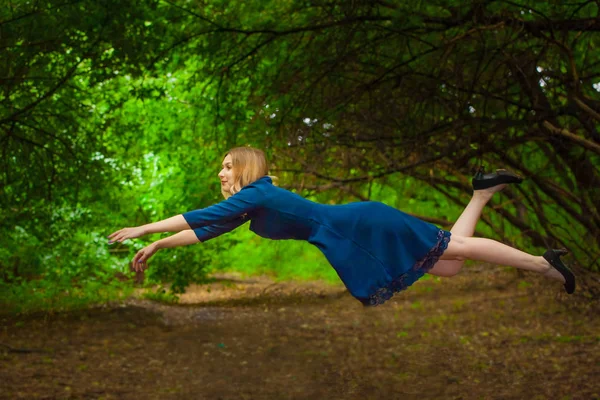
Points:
(243, 202)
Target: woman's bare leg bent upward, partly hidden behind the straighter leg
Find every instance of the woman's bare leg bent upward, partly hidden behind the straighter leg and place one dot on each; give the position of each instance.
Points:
(465, 226)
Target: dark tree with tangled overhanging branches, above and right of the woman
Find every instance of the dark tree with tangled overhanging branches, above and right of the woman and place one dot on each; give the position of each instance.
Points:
(364, 90)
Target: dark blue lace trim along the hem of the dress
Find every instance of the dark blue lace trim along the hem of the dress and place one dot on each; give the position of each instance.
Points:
(419, 269)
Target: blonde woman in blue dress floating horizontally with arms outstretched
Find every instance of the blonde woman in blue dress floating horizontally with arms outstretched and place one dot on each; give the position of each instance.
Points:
(376, 250)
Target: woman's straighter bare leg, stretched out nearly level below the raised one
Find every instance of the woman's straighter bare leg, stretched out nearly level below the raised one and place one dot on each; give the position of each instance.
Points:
(488, 250)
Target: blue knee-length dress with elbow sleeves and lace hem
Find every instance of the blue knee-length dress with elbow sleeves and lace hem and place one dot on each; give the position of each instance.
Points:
(375, 249)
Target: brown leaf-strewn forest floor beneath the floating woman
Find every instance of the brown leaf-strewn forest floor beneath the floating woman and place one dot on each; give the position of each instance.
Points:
(485, 334)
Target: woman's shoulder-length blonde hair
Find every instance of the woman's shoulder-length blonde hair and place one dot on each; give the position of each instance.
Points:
(249, 164)
